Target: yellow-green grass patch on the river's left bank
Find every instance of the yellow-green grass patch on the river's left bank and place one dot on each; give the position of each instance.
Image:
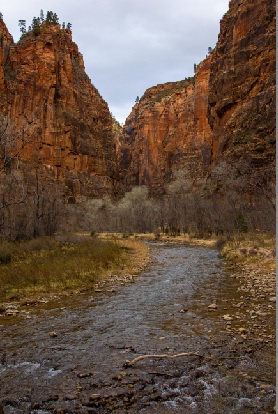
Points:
(48, 265)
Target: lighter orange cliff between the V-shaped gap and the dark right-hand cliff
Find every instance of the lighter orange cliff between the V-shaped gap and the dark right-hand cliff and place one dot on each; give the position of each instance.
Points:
(168, 129)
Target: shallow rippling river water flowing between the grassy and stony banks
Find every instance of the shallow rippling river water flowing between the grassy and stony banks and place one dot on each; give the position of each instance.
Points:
(69, 356)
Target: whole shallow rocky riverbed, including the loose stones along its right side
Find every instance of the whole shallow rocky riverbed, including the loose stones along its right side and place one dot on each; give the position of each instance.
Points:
(69, 355)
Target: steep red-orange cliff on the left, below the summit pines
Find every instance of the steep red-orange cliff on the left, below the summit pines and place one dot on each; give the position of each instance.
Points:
(60, 118)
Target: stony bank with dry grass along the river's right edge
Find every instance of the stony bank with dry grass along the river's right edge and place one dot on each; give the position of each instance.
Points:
(251, 261)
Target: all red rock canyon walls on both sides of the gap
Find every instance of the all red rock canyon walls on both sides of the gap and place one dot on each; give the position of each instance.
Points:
(224, 114)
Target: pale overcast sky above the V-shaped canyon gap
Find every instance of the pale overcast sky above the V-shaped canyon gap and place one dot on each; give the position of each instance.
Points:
(131, 45)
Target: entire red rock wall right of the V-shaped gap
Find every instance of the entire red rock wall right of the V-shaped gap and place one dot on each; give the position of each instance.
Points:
(225, 113)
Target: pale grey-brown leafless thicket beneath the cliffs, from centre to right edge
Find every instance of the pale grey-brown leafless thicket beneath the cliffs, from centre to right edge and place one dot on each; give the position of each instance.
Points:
(200, 213)
